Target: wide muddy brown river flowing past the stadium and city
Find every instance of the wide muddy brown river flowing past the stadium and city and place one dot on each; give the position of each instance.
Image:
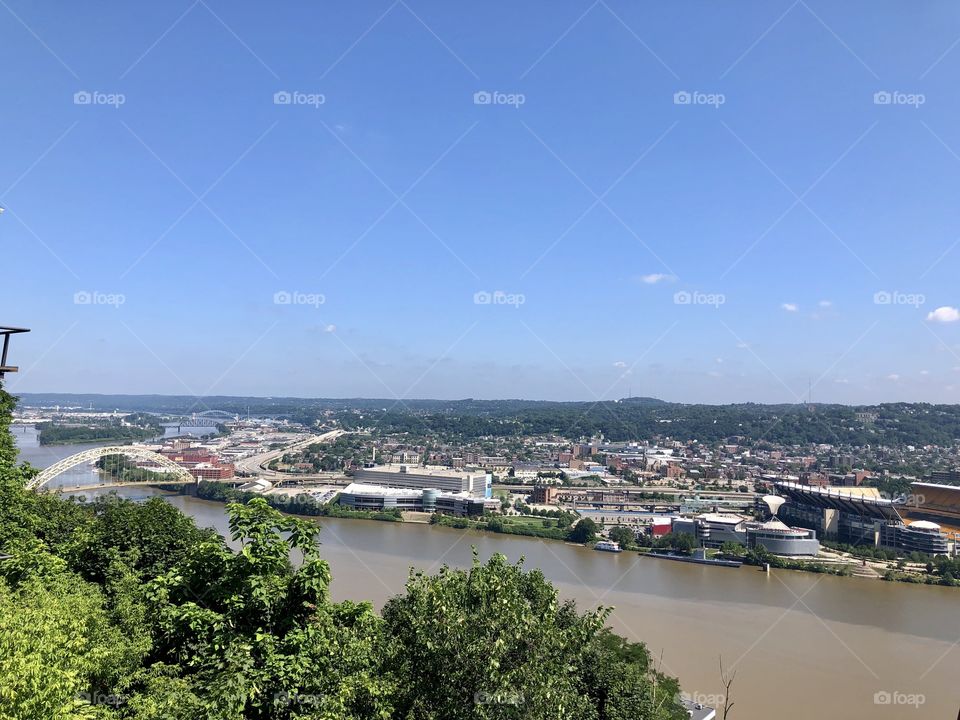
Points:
(803, 645)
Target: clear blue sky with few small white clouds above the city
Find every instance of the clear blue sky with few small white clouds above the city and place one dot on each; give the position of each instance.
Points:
(699, 201)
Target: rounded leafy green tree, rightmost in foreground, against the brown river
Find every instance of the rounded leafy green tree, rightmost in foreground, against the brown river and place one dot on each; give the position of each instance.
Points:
(494, 641)
